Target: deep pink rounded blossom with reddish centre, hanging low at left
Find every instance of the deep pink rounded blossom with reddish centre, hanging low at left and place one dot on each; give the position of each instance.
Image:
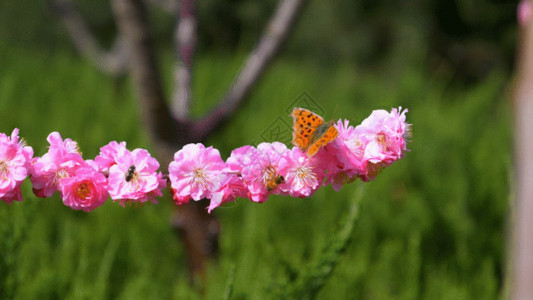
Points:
(84, 190)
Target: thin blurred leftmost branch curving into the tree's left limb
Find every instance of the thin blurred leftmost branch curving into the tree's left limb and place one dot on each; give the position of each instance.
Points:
(113, 62)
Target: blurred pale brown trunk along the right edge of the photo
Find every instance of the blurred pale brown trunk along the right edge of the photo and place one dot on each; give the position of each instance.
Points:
(522, 247)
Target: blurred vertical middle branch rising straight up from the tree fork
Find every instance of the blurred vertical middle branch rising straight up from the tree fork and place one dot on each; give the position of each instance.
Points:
(185, 41)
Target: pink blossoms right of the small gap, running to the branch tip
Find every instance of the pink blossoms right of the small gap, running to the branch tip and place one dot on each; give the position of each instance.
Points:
(250, 172)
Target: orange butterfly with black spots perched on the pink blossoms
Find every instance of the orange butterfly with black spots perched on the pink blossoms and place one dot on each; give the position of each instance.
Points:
(310, 133)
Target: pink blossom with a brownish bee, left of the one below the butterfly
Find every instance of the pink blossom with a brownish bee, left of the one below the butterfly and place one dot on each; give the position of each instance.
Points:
(261, 175)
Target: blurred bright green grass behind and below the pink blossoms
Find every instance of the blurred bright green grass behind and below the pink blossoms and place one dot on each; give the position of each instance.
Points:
(432, 226)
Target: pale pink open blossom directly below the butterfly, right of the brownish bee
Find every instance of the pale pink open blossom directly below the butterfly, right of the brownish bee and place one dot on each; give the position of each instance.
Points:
(302, 178)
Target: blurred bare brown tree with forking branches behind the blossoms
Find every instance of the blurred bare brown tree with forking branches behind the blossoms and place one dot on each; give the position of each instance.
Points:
(170, 126)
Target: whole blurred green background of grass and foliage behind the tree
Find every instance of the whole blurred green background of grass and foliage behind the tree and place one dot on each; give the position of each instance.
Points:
(432, 226)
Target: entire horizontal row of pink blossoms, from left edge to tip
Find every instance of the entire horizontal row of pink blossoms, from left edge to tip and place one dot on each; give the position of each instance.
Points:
(198, 172)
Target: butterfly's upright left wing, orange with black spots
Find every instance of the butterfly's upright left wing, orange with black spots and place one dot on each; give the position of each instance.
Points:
(305, 124)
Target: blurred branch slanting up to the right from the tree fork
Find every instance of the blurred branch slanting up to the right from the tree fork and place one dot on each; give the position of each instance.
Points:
(271, 42)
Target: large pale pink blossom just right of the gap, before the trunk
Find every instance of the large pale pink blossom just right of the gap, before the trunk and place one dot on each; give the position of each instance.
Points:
(195, 172)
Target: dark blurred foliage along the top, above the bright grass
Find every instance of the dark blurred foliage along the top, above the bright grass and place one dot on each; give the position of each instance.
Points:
(468, 37)
